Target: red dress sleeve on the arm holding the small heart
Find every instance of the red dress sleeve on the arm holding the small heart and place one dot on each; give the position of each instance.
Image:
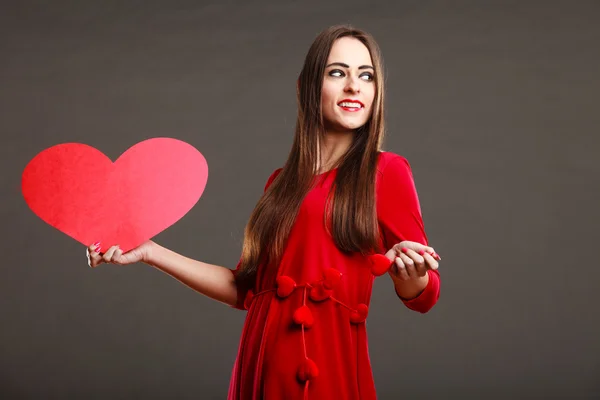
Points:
(399, 217)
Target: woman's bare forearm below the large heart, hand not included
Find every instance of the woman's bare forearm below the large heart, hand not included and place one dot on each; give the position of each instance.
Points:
(213, 281)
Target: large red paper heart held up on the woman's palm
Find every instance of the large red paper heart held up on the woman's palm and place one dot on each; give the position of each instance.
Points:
(78, 190)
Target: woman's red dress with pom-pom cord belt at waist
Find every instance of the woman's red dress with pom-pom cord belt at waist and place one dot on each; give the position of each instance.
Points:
(304, 336)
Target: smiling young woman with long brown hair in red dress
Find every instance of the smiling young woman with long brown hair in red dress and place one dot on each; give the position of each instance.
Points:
(337, 214)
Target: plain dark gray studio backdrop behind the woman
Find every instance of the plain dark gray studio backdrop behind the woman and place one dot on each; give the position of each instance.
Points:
(495, 104)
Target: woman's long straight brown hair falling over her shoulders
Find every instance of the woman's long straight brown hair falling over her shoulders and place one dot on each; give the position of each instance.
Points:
(351, 209)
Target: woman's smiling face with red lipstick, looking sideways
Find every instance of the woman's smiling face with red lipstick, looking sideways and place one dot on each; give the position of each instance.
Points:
(348, 86)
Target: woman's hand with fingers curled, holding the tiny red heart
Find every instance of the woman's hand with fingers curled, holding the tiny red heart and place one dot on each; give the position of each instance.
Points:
(411, 260)
